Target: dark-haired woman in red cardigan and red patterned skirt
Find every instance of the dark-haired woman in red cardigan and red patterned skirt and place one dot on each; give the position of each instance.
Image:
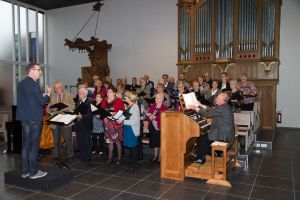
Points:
(114, 130)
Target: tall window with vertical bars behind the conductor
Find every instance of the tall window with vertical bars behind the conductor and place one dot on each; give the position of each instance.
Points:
(22, 40)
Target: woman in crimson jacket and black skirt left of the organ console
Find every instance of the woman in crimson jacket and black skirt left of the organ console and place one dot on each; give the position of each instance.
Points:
(153, 117)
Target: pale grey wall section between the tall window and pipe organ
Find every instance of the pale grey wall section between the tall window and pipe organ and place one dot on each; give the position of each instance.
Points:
(143, 35)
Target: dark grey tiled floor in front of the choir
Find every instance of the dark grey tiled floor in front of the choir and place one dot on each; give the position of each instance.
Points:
(271, 175)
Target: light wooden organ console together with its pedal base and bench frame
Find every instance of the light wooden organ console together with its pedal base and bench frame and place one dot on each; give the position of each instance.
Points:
(179, 134)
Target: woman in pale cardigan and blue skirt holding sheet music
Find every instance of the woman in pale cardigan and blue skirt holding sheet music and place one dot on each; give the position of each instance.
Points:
(132, 127)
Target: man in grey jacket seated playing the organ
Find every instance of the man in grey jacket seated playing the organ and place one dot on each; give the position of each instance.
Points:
(222, 127)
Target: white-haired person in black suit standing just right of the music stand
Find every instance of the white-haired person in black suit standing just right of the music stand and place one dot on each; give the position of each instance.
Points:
(84, 124)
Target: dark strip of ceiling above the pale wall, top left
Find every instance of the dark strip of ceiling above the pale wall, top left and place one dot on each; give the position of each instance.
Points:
(53, 4)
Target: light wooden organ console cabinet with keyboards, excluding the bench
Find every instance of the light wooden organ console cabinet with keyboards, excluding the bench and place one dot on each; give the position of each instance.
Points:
(179, 133)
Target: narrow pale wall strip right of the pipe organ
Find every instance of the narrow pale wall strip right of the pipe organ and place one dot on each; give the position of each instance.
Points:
(288, 92)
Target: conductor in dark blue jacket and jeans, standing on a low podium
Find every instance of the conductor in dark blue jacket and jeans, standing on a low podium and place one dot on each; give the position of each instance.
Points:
(30, 102)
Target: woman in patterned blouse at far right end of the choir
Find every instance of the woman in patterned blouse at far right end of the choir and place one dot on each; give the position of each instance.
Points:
(248, 91)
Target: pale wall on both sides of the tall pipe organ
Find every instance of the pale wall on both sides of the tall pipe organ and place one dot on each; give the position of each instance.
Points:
(143, 35)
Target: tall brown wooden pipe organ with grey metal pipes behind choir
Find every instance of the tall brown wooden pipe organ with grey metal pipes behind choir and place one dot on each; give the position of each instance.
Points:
(233, 36)
